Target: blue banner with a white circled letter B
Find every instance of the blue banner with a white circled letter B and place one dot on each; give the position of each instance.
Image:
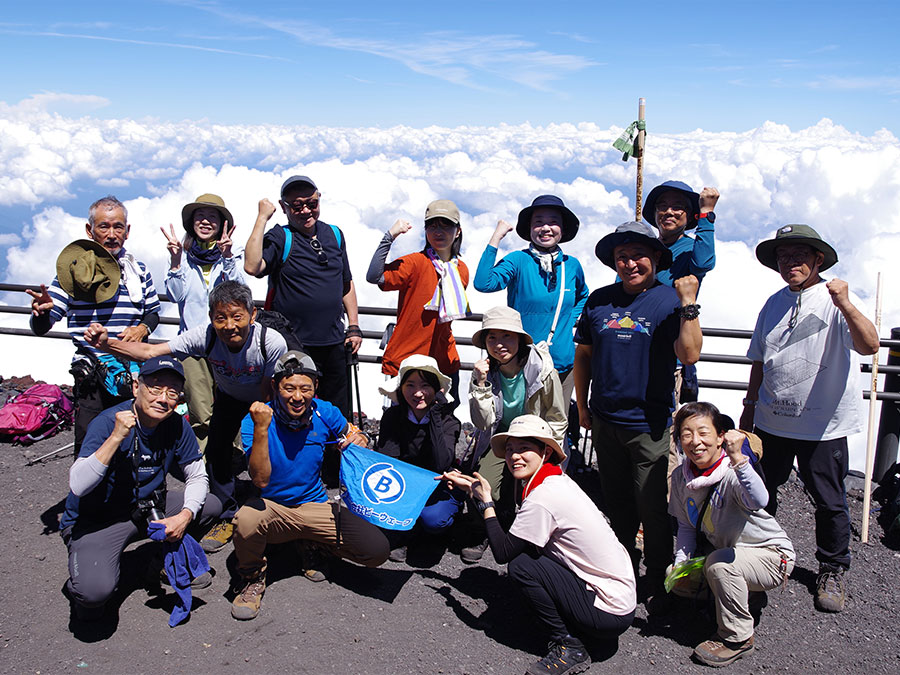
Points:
(383, 490)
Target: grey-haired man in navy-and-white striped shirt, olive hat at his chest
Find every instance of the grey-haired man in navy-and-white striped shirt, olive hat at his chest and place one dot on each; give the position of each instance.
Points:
(97, 280)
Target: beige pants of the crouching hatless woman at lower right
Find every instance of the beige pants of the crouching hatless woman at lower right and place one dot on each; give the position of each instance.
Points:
(731, 574)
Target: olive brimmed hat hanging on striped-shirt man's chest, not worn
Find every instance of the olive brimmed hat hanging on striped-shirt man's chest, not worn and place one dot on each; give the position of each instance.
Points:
(88, 272)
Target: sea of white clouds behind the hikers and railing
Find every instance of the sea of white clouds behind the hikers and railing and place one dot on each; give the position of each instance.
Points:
(846, 185)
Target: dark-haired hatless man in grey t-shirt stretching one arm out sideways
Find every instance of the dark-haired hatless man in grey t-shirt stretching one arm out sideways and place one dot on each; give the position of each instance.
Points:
(242, 355)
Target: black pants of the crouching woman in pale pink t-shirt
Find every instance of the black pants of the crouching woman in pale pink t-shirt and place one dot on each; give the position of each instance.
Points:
(562, 601)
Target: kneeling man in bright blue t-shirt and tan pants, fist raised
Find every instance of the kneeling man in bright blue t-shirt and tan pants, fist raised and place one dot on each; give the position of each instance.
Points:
(285, 440)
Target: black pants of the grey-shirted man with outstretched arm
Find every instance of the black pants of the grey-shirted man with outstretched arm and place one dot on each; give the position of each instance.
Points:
(228, 413)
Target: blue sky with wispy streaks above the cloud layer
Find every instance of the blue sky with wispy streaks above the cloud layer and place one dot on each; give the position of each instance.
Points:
(724, 66)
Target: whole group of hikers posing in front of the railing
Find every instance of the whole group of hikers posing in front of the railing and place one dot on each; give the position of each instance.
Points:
(703, 492)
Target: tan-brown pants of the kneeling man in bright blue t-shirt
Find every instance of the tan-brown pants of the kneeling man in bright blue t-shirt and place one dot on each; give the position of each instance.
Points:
(261, 521)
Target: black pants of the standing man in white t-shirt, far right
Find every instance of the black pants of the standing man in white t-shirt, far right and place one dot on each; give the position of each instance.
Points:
(823, 467)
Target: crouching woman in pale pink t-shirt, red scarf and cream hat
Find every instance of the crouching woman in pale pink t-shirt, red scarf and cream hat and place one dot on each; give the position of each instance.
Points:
(562, 554)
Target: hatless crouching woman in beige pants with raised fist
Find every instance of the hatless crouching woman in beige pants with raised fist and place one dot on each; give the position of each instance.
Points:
(718, 499)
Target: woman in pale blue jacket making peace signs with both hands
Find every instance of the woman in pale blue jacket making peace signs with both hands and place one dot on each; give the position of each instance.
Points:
(197, 264)
